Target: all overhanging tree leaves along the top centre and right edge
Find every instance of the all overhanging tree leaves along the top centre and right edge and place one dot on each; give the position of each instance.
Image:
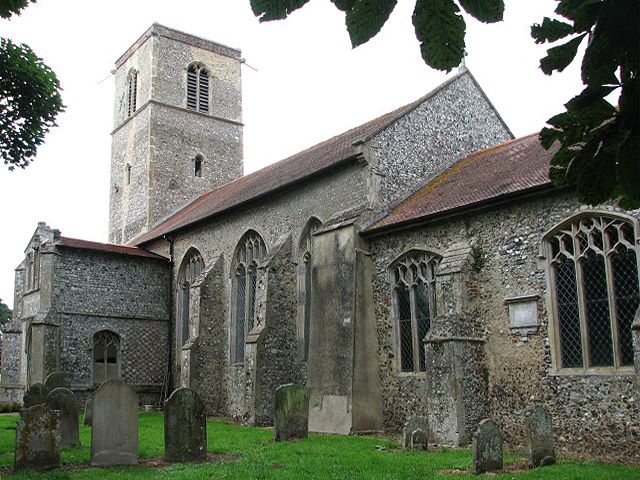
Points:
(599, 144)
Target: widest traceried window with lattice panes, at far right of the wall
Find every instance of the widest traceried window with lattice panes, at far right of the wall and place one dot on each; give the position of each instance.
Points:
(593, 266)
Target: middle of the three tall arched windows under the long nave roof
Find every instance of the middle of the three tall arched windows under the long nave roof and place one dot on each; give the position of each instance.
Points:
(250, 251)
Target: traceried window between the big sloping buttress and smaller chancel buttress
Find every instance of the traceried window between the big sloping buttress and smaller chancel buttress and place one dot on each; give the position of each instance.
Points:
(413, 280)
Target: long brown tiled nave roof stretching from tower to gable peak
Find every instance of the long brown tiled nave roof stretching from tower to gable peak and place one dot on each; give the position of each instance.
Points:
(275, 177)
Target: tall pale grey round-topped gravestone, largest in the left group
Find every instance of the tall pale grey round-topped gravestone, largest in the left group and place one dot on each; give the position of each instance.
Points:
(114, 432)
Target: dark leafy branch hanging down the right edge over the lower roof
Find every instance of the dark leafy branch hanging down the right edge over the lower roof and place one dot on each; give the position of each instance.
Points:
(599, 144)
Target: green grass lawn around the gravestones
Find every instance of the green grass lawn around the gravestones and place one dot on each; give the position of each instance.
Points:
(250, 453)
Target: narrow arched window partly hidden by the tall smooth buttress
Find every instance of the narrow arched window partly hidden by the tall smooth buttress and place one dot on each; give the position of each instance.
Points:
(305, 288)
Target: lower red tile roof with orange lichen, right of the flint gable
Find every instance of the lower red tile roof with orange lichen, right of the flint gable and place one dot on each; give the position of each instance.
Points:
(501, 171)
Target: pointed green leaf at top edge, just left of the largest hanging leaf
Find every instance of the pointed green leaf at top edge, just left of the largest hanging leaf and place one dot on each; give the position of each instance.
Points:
(366, 18)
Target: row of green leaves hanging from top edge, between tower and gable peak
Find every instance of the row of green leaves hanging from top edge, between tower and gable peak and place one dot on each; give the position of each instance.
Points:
(439, 25)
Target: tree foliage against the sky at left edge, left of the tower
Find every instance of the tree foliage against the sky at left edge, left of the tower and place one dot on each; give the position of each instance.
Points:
(30, 97)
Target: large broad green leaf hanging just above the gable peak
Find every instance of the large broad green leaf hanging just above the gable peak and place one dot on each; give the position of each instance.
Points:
(440, 28)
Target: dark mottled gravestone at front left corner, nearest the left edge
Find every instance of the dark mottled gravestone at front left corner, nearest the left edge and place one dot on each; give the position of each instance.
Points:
(37, 439)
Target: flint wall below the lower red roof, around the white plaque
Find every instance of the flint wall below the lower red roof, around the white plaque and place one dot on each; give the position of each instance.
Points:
(592, 412)
